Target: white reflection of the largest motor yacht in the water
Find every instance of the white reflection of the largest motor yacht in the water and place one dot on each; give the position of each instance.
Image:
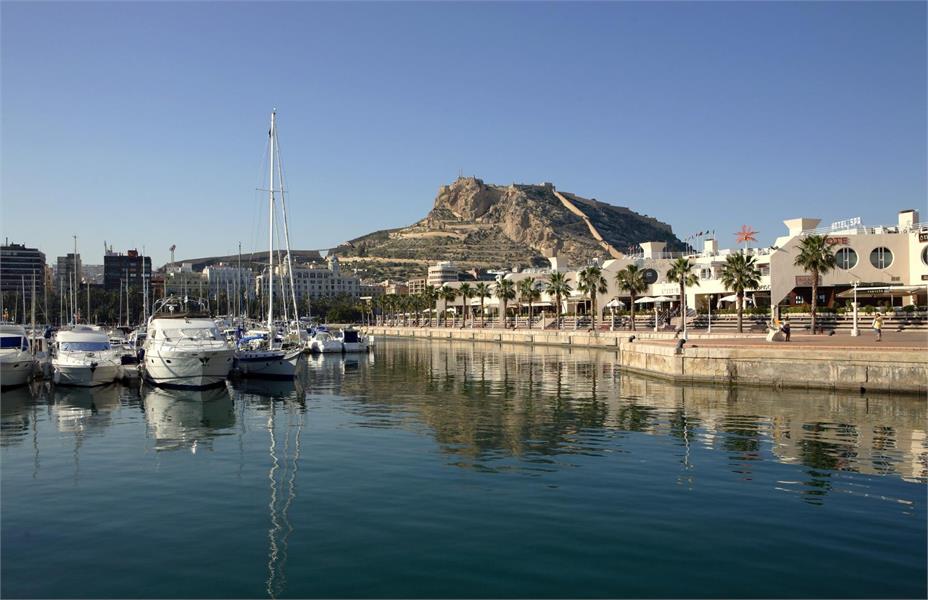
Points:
(187, 419)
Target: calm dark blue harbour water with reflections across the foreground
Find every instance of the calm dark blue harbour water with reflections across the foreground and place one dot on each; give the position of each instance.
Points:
(446, 470)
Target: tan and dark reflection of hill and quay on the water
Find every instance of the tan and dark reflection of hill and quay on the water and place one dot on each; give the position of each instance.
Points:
(484, 404)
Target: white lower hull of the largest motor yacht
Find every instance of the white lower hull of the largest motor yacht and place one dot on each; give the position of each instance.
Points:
(191, 370)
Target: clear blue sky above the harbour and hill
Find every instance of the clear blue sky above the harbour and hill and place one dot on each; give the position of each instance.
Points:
(144, 124)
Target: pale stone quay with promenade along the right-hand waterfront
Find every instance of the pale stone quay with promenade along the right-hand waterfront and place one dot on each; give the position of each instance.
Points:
(899, 364)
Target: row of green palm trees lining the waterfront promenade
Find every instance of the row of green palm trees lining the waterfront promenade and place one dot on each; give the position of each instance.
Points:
(739, 274)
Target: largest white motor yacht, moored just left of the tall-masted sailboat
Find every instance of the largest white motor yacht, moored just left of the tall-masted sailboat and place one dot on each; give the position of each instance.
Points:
(184, 347)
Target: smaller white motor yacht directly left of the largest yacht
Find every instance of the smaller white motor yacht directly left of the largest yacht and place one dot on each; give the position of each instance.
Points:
(83, 356)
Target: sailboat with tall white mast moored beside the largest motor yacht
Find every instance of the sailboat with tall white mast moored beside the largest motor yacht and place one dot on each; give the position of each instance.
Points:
(263, 356)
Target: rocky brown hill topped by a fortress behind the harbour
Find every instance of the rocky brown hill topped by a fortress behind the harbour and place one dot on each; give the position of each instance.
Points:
(491, 226)
